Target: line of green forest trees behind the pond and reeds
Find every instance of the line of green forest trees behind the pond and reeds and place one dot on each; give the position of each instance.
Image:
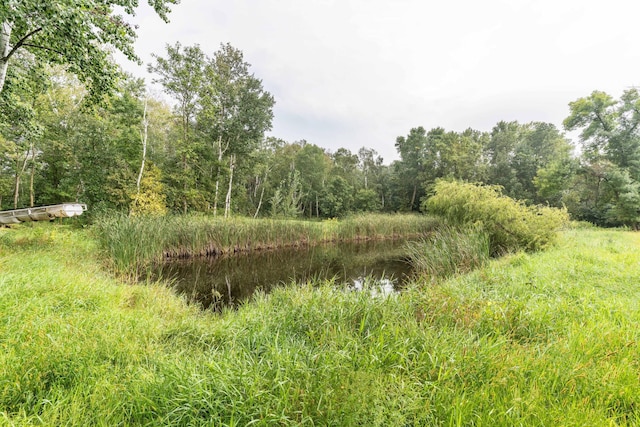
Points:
(124, 149)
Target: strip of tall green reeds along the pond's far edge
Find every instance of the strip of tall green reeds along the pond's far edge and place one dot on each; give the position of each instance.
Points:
(133, 242)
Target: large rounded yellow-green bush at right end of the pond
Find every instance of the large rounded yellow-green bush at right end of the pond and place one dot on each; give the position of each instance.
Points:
(510, 224)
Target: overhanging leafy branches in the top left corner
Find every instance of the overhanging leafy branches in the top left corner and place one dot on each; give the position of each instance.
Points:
(72, 33)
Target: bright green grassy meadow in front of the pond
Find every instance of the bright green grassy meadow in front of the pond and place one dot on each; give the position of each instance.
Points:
(544, 339)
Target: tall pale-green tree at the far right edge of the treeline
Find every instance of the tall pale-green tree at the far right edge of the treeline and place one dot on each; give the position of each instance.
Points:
(606, 184)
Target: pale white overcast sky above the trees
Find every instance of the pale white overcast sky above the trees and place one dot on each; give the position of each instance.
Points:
(354, 73)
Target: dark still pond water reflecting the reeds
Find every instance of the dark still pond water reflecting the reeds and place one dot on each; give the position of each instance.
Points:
(229, 280)
